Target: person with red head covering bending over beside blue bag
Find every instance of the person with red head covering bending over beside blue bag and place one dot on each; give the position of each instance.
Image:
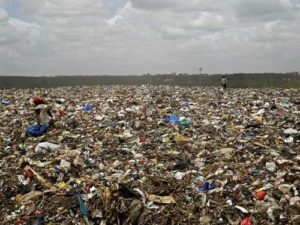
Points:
(43, 111)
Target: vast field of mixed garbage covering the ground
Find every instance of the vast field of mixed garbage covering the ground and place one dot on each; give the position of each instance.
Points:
(151, 155)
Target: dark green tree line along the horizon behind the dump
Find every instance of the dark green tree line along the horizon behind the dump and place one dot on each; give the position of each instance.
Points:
(238, 80)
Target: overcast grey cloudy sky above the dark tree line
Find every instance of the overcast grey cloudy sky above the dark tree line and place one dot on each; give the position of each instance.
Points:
(52, 37)
